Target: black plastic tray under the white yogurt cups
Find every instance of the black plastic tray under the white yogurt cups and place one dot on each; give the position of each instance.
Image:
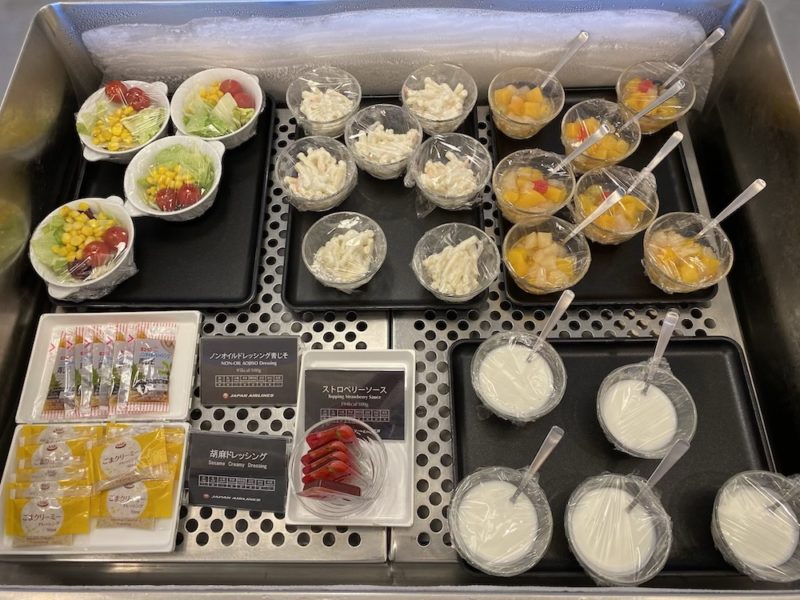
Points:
(730, 438)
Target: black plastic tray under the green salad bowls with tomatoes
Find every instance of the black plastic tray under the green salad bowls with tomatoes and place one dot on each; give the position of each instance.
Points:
(211, 261)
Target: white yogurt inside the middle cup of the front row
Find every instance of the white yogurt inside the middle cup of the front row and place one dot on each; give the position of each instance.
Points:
(608, 539)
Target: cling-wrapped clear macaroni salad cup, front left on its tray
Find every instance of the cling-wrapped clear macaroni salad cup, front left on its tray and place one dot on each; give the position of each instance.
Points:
(346, 274)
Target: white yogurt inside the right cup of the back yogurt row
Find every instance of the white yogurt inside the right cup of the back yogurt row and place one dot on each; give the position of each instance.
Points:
(642, 422)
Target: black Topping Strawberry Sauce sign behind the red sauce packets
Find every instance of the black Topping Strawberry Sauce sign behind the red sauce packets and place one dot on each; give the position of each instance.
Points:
(375, 397)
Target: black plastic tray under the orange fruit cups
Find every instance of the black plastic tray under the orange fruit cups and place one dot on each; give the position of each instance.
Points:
(616, 275)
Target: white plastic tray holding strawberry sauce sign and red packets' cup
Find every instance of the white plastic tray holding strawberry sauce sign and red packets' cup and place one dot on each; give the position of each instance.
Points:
(395, 507)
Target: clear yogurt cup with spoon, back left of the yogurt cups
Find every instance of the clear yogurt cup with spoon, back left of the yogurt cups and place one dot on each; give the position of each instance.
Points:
(510, 386)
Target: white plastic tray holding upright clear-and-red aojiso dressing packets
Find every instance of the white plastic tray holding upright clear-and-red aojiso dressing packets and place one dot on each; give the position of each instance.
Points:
(181, 376)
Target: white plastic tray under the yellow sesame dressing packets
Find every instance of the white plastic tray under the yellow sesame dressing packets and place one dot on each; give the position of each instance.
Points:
(113, 540)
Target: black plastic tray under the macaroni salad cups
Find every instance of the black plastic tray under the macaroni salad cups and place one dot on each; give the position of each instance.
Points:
(393, 206)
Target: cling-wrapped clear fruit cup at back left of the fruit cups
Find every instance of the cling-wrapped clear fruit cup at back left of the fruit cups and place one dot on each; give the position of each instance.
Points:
(535, 107)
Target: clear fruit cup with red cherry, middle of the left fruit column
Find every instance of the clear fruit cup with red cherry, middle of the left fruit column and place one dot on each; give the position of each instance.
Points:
(525, 187)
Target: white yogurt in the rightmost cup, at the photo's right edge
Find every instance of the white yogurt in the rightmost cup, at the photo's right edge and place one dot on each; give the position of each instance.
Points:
(758, 536)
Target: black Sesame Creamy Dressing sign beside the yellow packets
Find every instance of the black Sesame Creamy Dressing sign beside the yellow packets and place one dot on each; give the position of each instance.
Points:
(232, 470)
